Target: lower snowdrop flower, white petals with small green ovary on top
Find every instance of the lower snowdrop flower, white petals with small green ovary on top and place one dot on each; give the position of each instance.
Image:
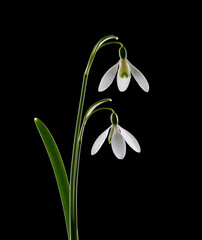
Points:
(118, 137)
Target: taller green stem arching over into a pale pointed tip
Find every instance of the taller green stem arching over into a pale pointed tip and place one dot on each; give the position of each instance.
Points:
(77, 145)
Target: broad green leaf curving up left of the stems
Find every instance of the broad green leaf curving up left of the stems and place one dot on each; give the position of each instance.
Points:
(58, 167)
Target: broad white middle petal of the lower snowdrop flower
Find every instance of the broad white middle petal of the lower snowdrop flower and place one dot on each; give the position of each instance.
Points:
(118, 144)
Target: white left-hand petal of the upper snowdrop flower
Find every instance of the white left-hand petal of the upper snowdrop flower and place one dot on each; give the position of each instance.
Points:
(108, 78)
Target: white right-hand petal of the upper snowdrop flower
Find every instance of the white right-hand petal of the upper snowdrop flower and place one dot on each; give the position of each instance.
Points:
(139, 77)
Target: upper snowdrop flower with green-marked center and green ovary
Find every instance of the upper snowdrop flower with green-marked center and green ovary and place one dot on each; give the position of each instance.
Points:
(125, 68)
